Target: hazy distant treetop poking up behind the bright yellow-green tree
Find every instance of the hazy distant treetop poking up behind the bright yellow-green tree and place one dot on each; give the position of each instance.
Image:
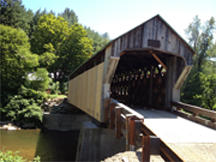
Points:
(69, 16)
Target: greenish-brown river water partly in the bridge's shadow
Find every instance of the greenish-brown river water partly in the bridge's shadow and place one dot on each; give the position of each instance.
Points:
(51, 146)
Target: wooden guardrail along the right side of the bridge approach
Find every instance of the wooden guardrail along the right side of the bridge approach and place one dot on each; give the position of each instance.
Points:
(195, 113)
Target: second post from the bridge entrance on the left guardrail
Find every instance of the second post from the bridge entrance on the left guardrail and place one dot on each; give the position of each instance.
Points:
(118, 111)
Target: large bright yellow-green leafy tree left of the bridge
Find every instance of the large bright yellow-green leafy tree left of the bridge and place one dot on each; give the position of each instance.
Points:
(53, 39)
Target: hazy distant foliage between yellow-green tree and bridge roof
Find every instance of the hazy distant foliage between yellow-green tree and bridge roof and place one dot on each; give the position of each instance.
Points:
(99, 41)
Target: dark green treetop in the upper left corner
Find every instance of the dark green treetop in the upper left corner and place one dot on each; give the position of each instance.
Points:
(13, 13)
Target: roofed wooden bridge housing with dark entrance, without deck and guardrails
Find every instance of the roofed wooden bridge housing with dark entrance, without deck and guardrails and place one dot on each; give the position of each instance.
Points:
(144, 67)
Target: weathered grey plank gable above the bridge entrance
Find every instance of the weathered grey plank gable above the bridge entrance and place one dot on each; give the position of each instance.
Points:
(154, 29)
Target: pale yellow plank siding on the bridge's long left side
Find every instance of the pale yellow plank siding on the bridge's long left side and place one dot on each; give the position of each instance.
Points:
(85, 91)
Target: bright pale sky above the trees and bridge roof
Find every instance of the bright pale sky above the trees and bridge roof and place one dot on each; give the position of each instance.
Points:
(119, 16)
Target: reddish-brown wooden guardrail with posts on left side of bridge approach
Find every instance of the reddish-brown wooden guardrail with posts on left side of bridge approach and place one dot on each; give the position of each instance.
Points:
(130, 124)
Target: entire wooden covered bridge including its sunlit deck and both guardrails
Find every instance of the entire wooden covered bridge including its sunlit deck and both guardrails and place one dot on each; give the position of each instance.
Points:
(134, 83)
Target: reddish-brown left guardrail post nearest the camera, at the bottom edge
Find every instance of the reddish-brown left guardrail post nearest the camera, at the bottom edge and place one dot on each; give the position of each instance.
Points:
(146, 143)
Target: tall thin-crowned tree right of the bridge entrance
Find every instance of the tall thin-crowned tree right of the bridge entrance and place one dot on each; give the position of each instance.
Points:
(200, 37)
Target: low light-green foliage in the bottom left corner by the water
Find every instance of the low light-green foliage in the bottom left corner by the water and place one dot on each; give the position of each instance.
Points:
(10, 156)
